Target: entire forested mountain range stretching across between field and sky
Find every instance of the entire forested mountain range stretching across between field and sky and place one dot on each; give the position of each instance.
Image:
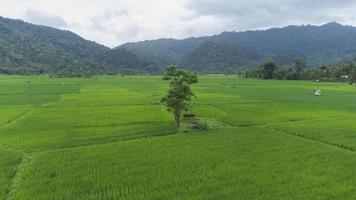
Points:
(28, 48)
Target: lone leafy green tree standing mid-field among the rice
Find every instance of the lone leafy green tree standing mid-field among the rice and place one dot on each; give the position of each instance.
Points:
(179, 94)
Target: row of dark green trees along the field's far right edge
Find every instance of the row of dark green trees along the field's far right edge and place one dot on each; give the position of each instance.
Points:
(299, 71)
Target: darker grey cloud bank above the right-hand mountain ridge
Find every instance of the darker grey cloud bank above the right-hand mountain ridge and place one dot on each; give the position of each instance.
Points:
(246, 14)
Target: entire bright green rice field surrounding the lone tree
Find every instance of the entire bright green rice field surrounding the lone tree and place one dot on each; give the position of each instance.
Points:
(109, 138)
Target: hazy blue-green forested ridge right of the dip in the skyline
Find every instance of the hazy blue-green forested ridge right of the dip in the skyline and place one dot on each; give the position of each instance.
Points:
(317, 45)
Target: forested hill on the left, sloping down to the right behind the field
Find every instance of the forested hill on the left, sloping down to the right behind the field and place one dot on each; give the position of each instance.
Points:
(28, 48)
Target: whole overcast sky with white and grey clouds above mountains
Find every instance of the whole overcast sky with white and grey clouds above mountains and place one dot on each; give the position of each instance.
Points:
(113, 22)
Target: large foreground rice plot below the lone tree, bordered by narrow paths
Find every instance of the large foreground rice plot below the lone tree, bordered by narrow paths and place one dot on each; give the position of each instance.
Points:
(187, 166)
